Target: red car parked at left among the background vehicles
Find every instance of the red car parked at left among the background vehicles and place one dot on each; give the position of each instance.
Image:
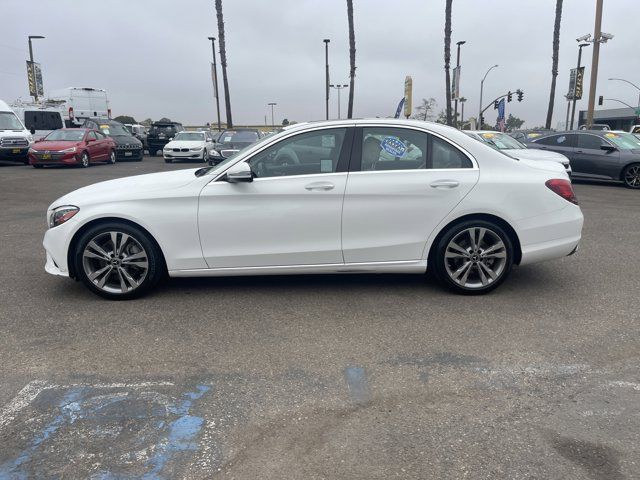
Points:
(73, 146)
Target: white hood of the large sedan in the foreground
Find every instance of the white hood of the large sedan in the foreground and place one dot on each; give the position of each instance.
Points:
(127, 188)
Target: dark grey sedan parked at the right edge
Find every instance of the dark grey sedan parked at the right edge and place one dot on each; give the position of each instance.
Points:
(597, 154)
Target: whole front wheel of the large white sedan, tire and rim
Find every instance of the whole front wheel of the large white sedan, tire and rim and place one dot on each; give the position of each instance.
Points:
(118, 261)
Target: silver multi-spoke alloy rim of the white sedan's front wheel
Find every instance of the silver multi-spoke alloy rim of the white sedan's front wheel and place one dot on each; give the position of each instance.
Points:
(115, 262)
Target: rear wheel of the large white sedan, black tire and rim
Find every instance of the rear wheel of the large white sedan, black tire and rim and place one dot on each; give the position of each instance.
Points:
(479, 265)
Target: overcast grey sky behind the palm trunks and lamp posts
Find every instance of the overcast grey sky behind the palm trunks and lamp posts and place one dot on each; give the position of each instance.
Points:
(153, 56)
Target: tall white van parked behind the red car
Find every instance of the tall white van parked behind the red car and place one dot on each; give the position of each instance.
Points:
(80, 103)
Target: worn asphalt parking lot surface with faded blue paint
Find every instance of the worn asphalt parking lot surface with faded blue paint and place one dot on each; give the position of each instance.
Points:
(350, 376)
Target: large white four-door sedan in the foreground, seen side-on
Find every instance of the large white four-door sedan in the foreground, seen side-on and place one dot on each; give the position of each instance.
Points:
(346, 196)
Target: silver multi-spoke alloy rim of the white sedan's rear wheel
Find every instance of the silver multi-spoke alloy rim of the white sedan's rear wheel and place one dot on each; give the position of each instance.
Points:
(475, 258)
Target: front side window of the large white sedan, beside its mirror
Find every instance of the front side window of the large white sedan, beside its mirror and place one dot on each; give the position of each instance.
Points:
(304, 154)
